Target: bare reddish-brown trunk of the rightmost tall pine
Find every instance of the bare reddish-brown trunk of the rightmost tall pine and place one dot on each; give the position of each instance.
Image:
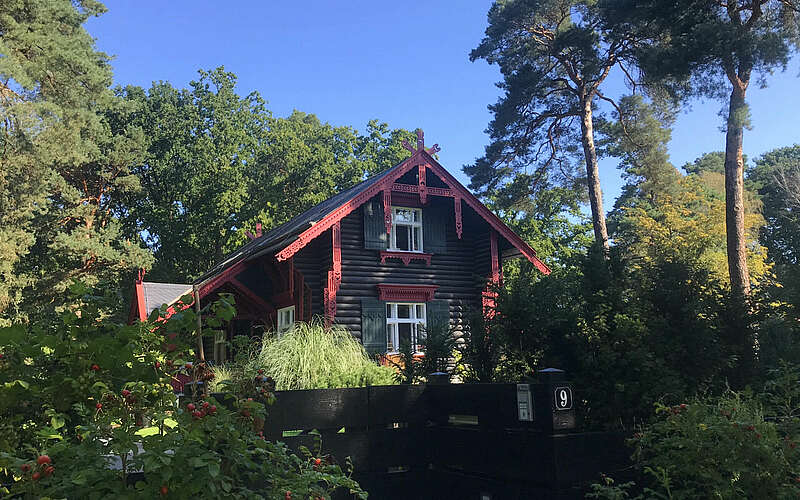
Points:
(734, 194)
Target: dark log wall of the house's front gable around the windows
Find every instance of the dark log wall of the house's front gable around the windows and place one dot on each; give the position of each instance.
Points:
(453, 271)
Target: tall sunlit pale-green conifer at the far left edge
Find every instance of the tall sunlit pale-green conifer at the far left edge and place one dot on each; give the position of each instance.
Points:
(65, 153)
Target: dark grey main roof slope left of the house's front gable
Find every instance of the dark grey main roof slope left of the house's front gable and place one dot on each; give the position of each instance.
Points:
(281, 236)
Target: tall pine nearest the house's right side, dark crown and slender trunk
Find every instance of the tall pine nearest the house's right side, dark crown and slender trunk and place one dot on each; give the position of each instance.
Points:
(554, 57)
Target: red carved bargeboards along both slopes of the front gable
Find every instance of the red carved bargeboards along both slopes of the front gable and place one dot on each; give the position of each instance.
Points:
(388, 183)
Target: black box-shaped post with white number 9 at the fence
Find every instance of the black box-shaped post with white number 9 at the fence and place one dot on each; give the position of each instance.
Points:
(553, 401)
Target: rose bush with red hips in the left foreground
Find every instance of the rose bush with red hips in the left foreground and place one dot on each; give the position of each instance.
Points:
(90, 393)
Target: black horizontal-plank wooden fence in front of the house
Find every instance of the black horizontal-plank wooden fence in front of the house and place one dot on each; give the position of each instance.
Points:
(449, 441)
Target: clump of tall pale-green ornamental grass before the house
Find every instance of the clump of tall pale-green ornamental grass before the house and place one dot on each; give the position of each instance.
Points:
(311, 356)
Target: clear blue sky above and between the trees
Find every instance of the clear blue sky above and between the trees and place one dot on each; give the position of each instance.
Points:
(405, 63)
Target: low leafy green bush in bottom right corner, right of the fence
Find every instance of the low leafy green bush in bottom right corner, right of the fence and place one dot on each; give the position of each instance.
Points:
(714, 448)
